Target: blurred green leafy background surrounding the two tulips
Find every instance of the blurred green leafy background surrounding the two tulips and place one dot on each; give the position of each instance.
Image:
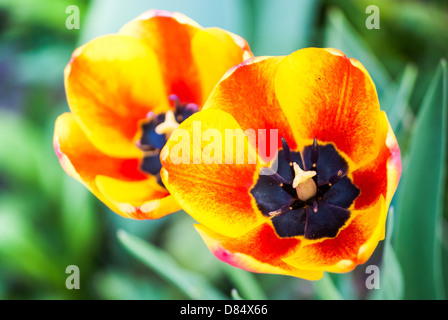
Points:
(49, 221)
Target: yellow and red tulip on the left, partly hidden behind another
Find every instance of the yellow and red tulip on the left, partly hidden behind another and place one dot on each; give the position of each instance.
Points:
(121, 88)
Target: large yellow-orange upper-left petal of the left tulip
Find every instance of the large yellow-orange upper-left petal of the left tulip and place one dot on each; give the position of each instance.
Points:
(112, 82)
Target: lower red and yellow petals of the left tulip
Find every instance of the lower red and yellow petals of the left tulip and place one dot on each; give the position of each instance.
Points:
(101, 173)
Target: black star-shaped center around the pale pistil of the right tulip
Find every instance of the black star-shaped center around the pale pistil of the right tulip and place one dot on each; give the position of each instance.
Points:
(325, 211)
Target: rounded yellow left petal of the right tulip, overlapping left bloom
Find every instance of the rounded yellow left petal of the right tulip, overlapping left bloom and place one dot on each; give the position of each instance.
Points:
(221, 198)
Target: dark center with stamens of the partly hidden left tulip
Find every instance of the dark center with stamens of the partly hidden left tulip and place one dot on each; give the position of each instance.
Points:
(153, 140)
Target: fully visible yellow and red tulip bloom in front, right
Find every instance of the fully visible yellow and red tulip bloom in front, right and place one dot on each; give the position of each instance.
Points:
(290, 167)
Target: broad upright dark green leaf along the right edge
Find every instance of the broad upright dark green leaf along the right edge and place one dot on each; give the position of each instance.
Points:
(418, 243)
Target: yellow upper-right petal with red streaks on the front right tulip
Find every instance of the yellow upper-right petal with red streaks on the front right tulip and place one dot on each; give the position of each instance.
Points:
(333, 99)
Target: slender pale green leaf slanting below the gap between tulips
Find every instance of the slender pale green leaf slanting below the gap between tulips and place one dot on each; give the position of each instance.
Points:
(191, 284)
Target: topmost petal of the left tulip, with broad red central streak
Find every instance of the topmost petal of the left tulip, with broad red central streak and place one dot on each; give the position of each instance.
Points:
(192, 58)
